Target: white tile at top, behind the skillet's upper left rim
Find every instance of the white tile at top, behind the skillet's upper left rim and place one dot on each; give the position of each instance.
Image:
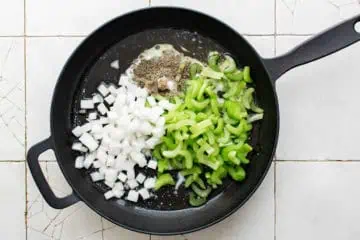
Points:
(79, 17)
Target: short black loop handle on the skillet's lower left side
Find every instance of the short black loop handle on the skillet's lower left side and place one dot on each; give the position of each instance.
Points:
(40, 180)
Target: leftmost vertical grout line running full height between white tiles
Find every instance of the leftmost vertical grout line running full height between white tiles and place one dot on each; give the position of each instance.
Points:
(25, 132)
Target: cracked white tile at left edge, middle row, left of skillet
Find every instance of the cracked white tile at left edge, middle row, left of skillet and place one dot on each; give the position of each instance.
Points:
(12, 103)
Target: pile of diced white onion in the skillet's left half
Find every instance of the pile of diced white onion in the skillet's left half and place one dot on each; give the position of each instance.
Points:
(123, 124)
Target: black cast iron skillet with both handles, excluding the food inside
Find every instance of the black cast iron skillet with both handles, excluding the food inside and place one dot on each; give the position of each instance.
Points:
(124, 38)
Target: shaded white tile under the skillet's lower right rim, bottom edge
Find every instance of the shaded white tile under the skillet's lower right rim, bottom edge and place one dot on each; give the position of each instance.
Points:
(243, 224)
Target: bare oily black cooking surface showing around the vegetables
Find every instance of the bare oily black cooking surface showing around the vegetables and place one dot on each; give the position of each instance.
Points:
(191, 44)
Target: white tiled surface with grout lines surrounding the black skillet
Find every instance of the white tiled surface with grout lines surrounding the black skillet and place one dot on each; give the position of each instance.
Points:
(311, 191)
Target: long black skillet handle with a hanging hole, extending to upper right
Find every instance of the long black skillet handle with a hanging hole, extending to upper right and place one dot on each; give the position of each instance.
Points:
(321, 45)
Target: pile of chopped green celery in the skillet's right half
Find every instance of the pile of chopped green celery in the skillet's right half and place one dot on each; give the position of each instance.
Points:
(207, 130)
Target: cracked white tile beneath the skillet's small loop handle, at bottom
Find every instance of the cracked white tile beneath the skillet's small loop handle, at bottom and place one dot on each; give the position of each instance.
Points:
(75, 222)
